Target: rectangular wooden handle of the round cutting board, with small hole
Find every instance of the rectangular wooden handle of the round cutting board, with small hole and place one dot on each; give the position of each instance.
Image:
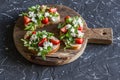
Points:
(100, 35)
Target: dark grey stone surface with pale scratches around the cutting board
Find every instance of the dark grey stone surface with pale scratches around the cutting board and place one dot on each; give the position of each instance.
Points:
(99, 62)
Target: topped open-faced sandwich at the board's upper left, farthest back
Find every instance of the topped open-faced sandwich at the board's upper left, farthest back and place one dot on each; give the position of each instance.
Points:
(38, 16)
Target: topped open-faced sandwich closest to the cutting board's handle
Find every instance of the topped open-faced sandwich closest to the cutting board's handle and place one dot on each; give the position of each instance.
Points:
(71, 32)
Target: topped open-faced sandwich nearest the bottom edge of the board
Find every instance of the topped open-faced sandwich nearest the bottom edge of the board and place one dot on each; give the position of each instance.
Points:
(41, 43)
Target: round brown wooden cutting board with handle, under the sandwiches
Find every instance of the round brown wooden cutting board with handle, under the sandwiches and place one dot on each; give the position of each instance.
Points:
(96, 35)
